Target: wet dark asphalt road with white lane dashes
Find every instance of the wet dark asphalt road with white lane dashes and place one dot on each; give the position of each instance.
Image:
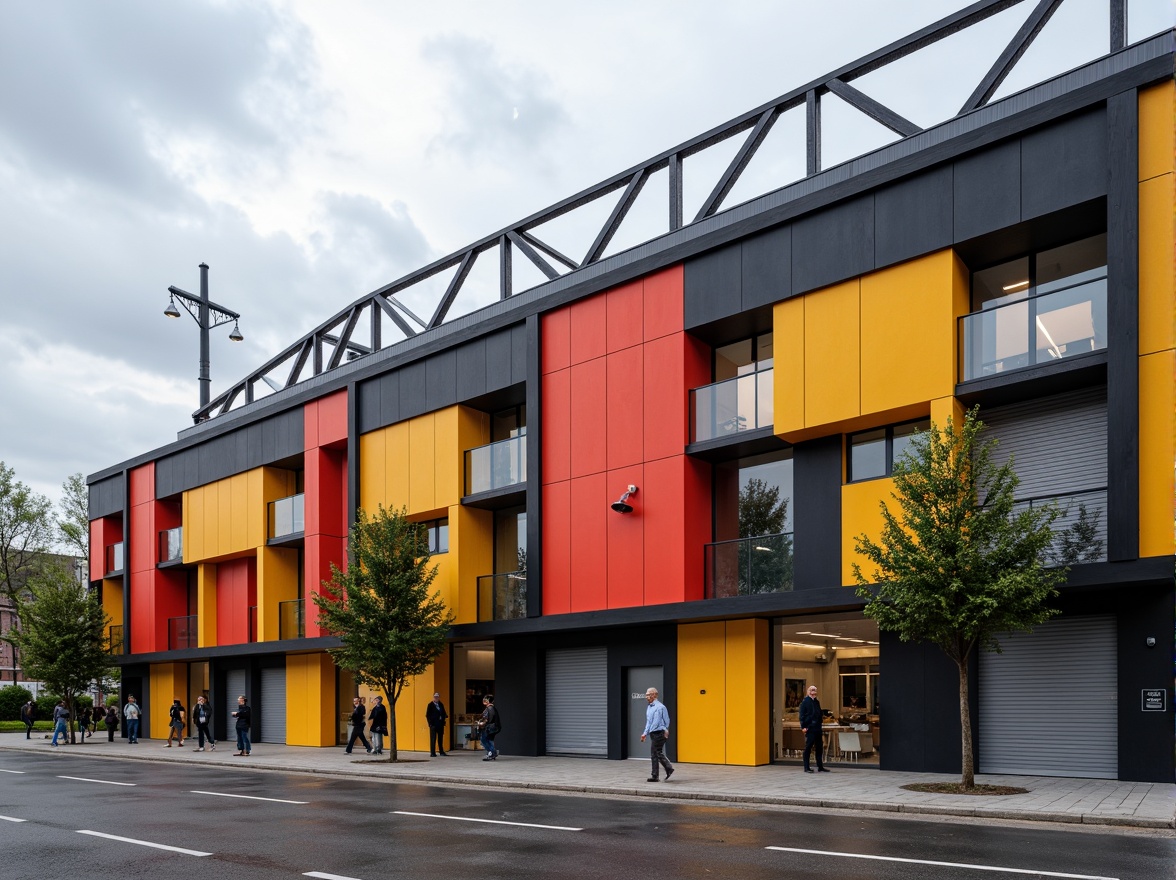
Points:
(62, 817)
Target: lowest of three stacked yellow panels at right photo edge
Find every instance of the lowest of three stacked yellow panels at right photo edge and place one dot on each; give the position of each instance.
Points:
(1158, 451)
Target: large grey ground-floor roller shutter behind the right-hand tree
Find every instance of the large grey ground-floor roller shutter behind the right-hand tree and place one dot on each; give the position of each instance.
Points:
(1048, 704)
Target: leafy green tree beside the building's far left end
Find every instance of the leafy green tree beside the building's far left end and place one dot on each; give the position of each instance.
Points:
(62, 636)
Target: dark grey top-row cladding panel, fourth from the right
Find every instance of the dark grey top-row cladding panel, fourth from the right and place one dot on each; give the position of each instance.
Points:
(833, 245)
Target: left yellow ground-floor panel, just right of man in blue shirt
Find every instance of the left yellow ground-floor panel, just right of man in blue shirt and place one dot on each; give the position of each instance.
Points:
(699, 734)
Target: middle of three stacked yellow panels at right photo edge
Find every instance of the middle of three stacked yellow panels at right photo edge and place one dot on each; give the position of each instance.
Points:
(1158, 264)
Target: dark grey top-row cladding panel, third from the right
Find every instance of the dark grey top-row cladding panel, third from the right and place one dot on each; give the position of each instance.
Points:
(913, 218)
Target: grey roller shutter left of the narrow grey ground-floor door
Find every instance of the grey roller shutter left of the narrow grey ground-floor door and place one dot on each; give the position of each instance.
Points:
(578, 703)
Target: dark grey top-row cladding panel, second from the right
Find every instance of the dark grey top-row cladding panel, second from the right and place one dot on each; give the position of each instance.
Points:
(987, 189)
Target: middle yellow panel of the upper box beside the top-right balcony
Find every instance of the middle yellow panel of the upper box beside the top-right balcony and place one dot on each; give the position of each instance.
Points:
(832, 355)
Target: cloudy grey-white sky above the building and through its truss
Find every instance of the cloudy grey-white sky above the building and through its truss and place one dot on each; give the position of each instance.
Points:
(311, 152)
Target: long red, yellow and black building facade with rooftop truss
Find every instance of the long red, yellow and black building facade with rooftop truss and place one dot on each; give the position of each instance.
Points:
(651, 470)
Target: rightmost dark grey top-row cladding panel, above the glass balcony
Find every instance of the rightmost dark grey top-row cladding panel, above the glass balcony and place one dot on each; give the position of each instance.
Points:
(1064, 165)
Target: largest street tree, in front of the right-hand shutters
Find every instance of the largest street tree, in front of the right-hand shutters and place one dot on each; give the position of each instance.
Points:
(959, 565)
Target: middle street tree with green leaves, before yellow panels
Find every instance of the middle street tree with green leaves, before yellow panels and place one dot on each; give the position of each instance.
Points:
(391, 628)
